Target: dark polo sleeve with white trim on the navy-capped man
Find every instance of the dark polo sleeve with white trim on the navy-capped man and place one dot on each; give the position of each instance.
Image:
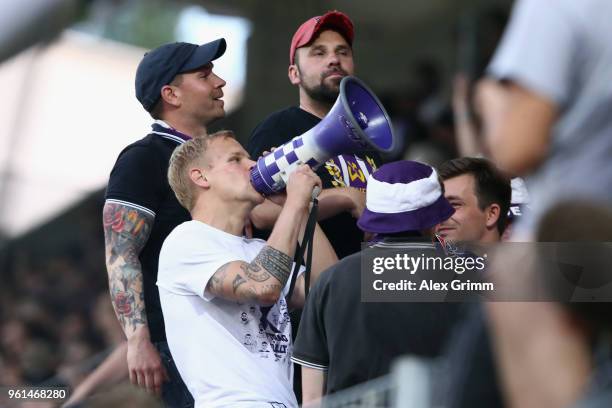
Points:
(138, 178)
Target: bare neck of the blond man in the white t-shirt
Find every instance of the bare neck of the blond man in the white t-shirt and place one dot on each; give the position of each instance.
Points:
(223, 216)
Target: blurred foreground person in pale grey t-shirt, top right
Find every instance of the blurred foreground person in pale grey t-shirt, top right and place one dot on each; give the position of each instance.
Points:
(546, 107)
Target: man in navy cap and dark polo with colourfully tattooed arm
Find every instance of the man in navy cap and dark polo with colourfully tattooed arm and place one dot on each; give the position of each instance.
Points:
(176, 85)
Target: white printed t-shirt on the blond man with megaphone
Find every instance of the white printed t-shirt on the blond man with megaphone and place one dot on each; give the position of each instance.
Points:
(229, 354)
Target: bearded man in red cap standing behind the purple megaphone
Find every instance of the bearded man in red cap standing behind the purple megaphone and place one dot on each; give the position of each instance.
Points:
(319, 57)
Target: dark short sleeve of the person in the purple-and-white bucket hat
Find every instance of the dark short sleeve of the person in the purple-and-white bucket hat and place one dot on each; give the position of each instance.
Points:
(310, 348)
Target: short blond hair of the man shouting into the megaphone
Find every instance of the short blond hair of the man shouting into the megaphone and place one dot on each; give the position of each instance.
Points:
(185, 156)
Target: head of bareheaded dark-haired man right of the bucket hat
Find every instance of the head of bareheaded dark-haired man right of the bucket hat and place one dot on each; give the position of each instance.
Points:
(480, 195)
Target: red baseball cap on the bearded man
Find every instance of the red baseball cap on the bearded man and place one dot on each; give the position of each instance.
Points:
(334, 20)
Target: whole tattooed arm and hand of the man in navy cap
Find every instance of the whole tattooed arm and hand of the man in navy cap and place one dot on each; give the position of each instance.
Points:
(126, 231)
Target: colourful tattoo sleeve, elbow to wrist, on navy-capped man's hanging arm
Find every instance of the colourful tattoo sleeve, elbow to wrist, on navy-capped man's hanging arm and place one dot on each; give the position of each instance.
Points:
(126, 231)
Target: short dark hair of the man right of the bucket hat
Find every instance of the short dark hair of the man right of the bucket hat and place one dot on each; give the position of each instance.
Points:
(491, 185)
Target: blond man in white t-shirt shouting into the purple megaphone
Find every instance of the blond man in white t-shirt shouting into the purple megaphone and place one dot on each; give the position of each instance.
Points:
(223, 295)
